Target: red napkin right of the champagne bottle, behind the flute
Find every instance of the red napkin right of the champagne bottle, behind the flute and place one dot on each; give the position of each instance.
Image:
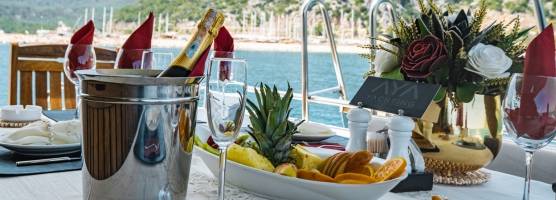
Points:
(222, 42)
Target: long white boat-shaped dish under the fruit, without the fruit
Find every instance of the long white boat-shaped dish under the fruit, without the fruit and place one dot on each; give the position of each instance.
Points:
(282, 187)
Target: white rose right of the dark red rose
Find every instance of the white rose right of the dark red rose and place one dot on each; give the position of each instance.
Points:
(488, 61)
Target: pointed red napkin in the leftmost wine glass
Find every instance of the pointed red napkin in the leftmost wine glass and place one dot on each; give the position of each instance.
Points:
(83, 36)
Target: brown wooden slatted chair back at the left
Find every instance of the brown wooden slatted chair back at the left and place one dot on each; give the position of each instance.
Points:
(37, 75)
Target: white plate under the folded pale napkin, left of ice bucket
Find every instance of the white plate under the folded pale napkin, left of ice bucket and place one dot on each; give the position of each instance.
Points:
(43, 150)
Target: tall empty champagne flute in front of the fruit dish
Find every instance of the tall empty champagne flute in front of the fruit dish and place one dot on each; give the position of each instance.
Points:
(225, 103)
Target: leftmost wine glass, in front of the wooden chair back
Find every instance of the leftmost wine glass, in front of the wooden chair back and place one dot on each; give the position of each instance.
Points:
(78, 57)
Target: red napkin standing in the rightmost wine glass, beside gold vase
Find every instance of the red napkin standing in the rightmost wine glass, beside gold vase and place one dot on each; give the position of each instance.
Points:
(532, 117)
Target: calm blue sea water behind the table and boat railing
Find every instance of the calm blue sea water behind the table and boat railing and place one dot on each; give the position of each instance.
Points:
(272, 68)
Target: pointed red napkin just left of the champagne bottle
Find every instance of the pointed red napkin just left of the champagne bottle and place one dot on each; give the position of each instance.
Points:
(138, 40)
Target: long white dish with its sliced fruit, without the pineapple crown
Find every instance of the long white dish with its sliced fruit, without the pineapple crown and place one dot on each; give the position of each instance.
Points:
(313, 173)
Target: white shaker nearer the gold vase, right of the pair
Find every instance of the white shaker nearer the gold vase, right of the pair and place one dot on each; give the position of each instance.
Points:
(399, 131)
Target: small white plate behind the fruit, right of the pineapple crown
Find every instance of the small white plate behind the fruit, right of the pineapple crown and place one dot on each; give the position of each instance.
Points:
(311, 131)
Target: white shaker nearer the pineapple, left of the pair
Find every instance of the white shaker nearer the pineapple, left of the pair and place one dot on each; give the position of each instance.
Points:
(358, 124)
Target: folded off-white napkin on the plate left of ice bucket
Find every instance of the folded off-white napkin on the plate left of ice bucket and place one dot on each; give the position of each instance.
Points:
(43, 133)
